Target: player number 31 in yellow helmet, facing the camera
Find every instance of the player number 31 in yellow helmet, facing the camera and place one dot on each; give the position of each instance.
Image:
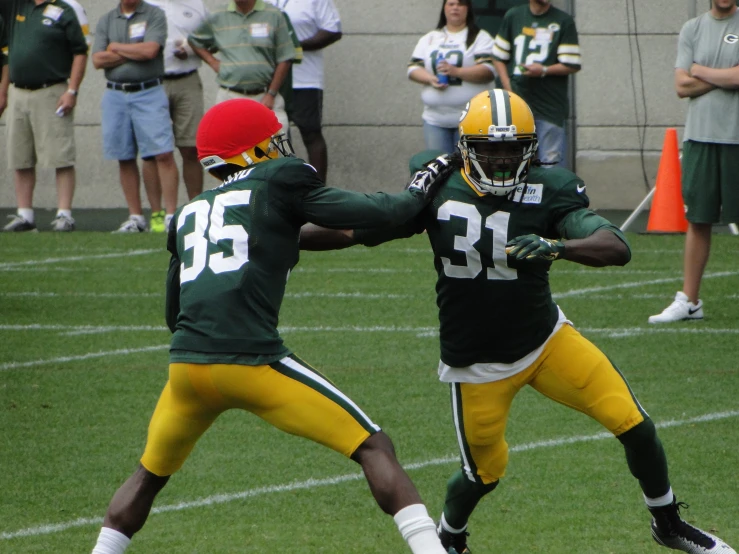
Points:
(495, 227)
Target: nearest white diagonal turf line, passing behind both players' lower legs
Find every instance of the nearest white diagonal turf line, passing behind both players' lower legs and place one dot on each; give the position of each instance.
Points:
(315, 483)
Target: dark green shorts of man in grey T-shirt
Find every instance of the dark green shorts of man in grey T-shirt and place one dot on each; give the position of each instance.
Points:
(710, 182)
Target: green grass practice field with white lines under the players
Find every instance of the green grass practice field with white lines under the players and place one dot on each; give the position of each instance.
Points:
(83, 358)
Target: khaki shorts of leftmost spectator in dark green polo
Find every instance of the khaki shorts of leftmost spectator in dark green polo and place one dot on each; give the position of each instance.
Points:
(36, 135)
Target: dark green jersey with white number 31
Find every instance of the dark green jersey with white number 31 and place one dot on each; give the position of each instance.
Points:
(494, 309)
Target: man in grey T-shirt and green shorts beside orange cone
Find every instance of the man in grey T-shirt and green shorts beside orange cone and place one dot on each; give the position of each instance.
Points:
(707, 73)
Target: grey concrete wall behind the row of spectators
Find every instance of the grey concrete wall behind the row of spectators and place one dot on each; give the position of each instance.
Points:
(372, 113)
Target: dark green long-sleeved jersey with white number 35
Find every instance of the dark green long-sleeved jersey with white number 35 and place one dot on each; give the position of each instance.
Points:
(233, 248)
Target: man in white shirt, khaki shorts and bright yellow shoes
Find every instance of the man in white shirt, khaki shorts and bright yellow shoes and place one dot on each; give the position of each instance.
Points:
(185, 94)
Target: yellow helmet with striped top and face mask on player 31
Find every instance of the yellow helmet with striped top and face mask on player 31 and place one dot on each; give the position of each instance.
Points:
(497, 140)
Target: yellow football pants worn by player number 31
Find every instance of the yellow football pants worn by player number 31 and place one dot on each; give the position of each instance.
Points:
(571, 370)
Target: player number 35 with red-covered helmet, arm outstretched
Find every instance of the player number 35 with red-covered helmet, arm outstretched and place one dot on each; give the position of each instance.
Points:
(233, 248)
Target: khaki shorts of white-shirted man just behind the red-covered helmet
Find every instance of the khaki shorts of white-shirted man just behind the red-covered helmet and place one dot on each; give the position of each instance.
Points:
(186, 107)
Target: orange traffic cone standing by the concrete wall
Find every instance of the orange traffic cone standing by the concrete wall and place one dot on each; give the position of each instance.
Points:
(668, 212)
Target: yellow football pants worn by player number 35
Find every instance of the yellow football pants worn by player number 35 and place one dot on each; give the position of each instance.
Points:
(288, 394)
